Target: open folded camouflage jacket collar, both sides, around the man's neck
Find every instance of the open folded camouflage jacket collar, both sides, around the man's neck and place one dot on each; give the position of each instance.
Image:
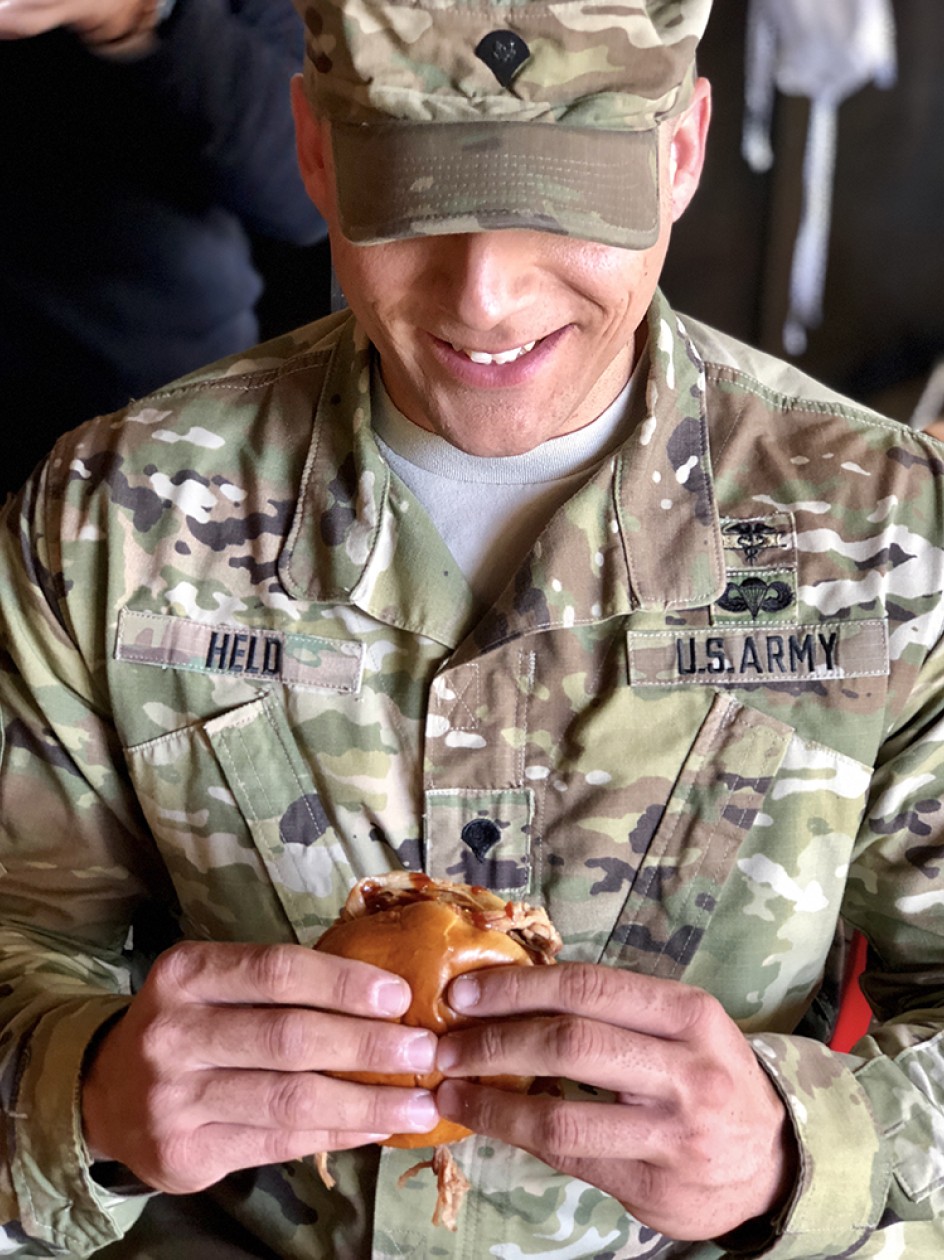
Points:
(643, 534)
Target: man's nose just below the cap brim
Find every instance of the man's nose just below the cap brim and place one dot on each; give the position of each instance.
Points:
(487, 278)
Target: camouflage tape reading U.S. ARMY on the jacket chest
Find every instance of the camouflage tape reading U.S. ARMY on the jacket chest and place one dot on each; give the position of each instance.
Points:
(767, 653)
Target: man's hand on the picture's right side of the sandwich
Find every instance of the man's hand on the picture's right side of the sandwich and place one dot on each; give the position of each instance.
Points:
(698, 1141)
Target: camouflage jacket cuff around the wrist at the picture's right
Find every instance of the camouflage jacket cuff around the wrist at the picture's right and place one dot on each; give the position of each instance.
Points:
(844, 1176)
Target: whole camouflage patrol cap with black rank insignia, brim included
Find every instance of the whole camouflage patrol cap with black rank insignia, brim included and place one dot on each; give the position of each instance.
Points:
(475, 115)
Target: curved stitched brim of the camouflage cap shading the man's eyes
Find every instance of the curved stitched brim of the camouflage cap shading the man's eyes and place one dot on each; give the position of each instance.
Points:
(406, 180)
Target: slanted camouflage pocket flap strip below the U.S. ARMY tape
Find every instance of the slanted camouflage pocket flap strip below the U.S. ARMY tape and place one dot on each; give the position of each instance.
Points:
(710, 812)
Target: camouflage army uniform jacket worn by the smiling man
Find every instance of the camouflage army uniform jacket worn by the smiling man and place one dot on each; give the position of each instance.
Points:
(701, 724)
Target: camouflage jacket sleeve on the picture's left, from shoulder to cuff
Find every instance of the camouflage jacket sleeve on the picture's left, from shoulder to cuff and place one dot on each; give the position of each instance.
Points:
(64, 920)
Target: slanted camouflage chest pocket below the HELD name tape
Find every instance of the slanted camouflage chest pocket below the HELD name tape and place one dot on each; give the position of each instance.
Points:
(243, 828)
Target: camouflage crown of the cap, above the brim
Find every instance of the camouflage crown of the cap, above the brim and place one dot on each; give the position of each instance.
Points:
(616, 67)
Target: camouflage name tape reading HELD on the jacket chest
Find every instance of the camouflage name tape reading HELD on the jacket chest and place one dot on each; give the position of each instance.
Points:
(244, 652)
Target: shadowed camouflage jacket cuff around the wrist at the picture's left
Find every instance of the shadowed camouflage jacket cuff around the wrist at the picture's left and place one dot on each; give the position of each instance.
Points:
(60, 1200)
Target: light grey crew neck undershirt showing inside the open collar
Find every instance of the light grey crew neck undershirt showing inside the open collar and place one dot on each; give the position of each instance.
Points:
(490, 511)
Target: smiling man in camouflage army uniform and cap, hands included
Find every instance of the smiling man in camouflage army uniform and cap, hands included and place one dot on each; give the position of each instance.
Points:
(514, 576)
